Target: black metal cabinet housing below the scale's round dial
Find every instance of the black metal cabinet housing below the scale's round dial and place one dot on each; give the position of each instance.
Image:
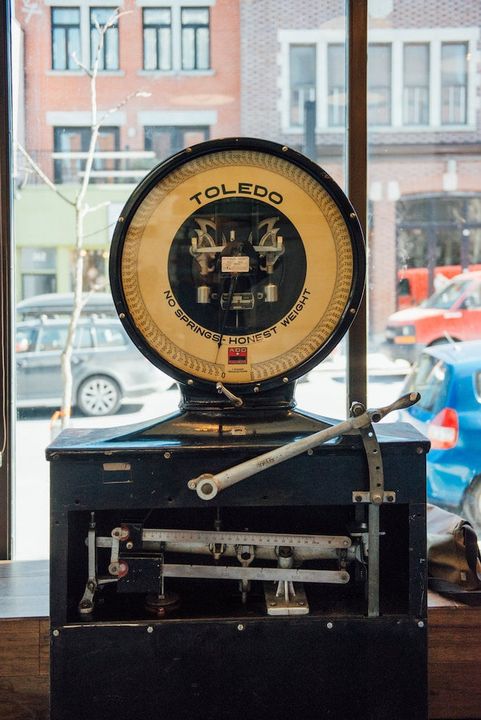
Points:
(213, 657)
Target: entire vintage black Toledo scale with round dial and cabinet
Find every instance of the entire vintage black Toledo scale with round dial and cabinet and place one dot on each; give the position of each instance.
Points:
(239, 558)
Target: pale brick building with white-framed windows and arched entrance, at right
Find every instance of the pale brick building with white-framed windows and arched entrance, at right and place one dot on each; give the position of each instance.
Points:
(424, 118)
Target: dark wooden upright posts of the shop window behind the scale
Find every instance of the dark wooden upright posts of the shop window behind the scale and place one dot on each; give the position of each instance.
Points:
(357, 175)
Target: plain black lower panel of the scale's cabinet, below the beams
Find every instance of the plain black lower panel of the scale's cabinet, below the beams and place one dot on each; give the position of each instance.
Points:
(309, 668)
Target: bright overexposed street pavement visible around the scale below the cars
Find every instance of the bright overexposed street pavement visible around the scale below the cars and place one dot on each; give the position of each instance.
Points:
(321, 394)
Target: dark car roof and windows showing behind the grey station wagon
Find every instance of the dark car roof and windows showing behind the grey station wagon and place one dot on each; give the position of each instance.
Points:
(60, 305)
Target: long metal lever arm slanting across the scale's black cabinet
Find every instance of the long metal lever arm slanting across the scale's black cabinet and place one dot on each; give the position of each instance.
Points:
(208, 485)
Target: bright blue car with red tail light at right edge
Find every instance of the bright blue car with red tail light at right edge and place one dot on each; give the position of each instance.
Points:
(449, 413)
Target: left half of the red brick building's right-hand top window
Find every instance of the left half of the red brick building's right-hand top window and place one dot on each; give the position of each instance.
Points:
(157, 31)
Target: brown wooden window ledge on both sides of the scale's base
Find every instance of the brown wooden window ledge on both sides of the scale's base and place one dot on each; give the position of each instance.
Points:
(454, 650)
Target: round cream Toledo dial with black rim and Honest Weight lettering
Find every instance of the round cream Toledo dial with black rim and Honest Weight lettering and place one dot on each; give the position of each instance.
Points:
(235, 263)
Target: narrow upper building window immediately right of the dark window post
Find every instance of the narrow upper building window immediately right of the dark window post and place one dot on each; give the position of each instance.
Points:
(379, 85)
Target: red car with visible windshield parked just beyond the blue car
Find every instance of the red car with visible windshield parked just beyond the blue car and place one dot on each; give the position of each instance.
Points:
(454, 312)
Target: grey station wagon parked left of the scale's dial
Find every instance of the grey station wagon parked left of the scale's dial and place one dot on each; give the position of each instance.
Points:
(106, 366)
